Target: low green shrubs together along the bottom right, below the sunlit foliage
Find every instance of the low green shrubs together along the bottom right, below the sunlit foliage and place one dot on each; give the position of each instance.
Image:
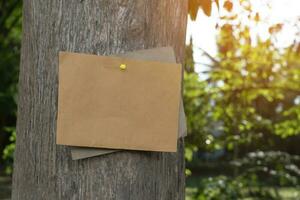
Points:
(260, 171)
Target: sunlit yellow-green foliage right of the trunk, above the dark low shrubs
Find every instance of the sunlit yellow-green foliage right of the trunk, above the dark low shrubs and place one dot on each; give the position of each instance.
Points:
(250, 93)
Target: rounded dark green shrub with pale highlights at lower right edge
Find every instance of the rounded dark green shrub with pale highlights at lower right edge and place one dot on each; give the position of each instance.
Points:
(269, 168)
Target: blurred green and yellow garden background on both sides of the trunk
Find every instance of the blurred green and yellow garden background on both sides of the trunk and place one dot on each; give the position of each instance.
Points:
(243, 107)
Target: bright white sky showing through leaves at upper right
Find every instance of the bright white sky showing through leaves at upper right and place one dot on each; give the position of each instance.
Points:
(203, 30)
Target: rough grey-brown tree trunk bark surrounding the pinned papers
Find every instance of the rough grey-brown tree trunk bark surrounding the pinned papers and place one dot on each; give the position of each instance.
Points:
(44, 170)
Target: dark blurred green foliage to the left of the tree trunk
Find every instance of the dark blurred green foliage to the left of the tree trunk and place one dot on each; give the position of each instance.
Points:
(10, 36)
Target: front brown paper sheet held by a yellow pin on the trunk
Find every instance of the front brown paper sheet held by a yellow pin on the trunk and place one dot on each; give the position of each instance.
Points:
(105, 107)
